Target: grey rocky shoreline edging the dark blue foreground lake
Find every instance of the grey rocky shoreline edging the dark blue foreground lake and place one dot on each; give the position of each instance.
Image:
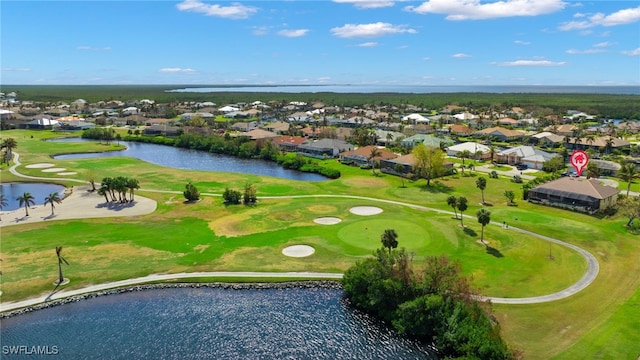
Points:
(308, 284)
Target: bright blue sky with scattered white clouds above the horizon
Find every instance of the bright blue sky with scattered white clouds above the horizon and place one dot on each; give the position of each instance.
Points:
(435, 42)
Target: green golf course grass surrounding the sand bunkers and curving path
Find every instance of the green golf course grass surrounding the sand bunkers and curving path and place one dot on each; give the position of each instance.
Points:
(208, 236)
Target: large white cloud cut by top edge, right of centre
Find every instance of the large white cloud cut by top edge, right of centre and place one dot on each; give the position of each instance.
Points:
(475, 10)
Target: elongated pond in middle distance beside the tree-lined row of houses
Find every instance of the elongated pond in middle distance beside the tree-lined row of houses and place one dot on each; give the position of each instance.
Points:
(196, 160)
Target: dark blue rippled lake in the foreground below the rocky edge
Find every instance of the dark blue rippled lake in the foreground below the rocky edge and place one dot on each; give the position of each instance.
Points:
(206, 323)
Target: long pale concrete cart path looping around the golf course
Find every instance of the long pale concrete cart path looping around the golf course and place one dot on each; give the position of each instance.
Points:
(590, 275)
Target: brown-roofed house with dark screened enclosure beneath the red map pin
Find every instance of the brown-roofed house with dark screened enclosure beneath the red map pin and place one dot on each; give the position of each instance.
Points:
(578, 194)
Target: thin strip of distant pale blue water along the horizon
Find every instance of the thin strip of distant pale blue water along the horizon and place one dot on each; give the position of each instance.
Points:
(420, 89)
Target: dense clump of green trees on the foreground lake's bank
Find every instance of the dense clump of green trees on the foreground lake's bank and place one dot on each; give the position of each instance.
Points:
(433, 304)
